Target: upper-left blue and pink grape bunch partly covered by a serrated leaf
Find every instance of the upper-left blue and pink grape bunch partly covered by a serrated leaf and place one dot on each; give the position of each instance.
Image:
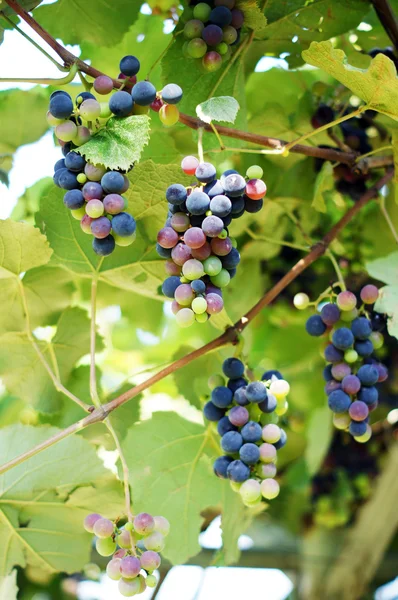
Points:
(94, 193)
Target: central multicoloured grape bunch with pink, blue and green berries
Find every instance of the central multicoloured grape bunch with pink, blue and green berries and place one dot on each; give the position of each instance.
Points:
(201, 257)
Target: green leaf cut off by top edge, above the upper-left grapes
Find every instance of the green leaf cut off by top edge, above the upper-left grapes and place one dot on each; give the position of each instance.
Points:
(103, 24)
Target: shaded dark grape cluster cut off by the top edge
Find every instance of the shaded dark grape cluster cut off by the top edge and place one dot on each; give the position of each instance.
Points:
(214, 28)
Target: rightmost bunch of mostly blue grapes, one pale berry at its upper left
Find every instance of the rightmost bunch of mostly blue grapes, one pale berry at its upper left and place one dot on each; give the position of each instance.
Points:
(352, 371)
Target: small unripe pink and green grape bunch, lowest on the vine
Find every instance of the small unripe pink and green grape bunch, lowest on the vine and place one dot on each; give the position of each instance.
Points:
(134, 549)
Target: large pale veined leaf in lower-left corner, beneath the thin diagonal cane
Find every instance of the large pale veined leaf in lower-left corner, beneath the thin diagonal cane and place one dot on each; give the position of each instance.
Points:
(39, 523)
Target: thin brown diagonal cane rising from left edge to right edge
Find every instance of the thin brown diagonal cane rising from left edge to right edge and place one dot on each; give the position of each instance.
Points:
(230, 336)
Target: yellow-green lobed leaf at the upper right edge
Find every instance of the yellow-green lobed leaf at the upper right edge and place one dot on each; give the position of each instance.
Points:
(377, 86)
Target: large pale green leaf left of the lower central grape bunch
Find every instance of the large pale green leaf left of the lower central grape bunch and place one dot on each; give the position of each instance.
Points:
(171, 474)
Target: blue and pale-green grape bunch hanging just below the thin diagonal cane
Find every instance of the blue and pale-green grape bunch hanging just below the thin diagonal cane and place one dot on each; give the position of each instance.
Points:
(249, 434)
